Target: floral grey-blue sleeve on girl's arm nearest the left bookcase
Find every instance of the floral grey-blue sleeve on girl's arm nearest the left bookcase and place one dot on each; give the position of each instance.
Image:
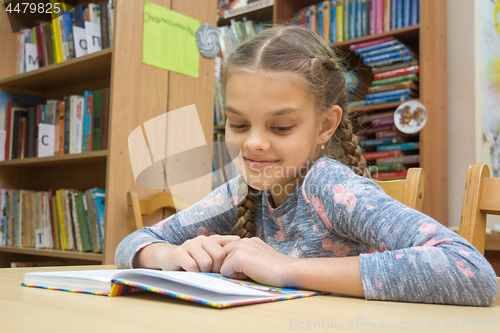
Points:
(214, 214)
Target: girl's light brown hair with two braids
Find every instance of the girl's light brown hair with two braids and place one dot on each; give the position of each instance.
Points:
(301, 53)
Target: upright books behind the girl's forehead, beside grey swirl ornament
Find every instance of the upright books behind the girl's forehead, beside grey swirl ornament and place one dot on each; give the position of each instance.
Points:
(230, 37)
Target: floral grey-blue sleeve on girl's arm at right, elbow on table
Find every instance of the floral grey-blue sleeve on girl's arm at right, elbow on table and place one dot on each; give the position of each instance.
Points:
(413, 257)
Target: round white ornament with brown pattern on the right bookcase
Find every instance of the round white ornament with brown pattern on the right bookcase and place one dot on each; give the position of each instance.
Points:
(410, 117)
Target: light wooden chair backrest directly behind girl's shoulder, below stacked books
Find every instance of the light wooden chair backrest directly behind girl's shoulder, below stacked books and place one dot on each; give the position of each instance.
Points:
(409, 191)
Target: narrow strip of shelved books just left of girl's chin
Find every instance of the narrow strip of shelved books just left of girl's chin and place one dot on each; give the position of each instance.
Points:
(223, 169)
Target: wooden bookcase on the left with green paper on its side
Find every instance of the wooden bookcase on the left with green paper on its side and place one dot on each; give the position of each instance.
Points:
(139, 92)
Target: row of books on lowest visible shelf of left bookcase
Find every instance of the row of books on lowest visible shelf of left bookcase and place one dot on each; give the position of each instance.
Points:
(65, 219)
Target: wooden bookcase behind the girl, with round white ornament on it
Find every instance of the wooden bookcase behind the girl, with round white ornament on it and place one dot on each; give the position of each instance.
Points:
(429, 38)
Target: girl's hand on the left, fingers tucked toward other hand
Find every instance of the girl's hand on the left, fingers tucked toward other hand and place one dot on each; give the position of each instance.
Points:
(200, 254)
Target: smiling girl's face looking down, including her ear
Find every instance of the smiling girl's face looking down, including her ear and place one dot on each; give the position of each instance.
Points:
(274, 121)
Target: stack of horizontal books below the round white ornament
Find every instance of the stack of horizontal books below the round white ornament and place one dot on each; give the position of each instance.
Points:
(388, 151)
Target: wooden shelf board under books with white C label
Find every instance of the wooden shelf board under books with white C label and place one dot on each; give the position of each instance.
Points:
(68, 159)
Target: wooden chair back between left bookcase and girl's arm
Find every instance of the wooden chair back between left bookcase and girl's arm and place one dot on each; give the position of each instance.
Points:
(137, 207)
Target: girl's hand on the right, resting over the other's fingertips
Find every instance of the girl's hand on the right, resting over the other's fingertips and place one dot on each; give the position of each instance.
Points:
(253, 258)
